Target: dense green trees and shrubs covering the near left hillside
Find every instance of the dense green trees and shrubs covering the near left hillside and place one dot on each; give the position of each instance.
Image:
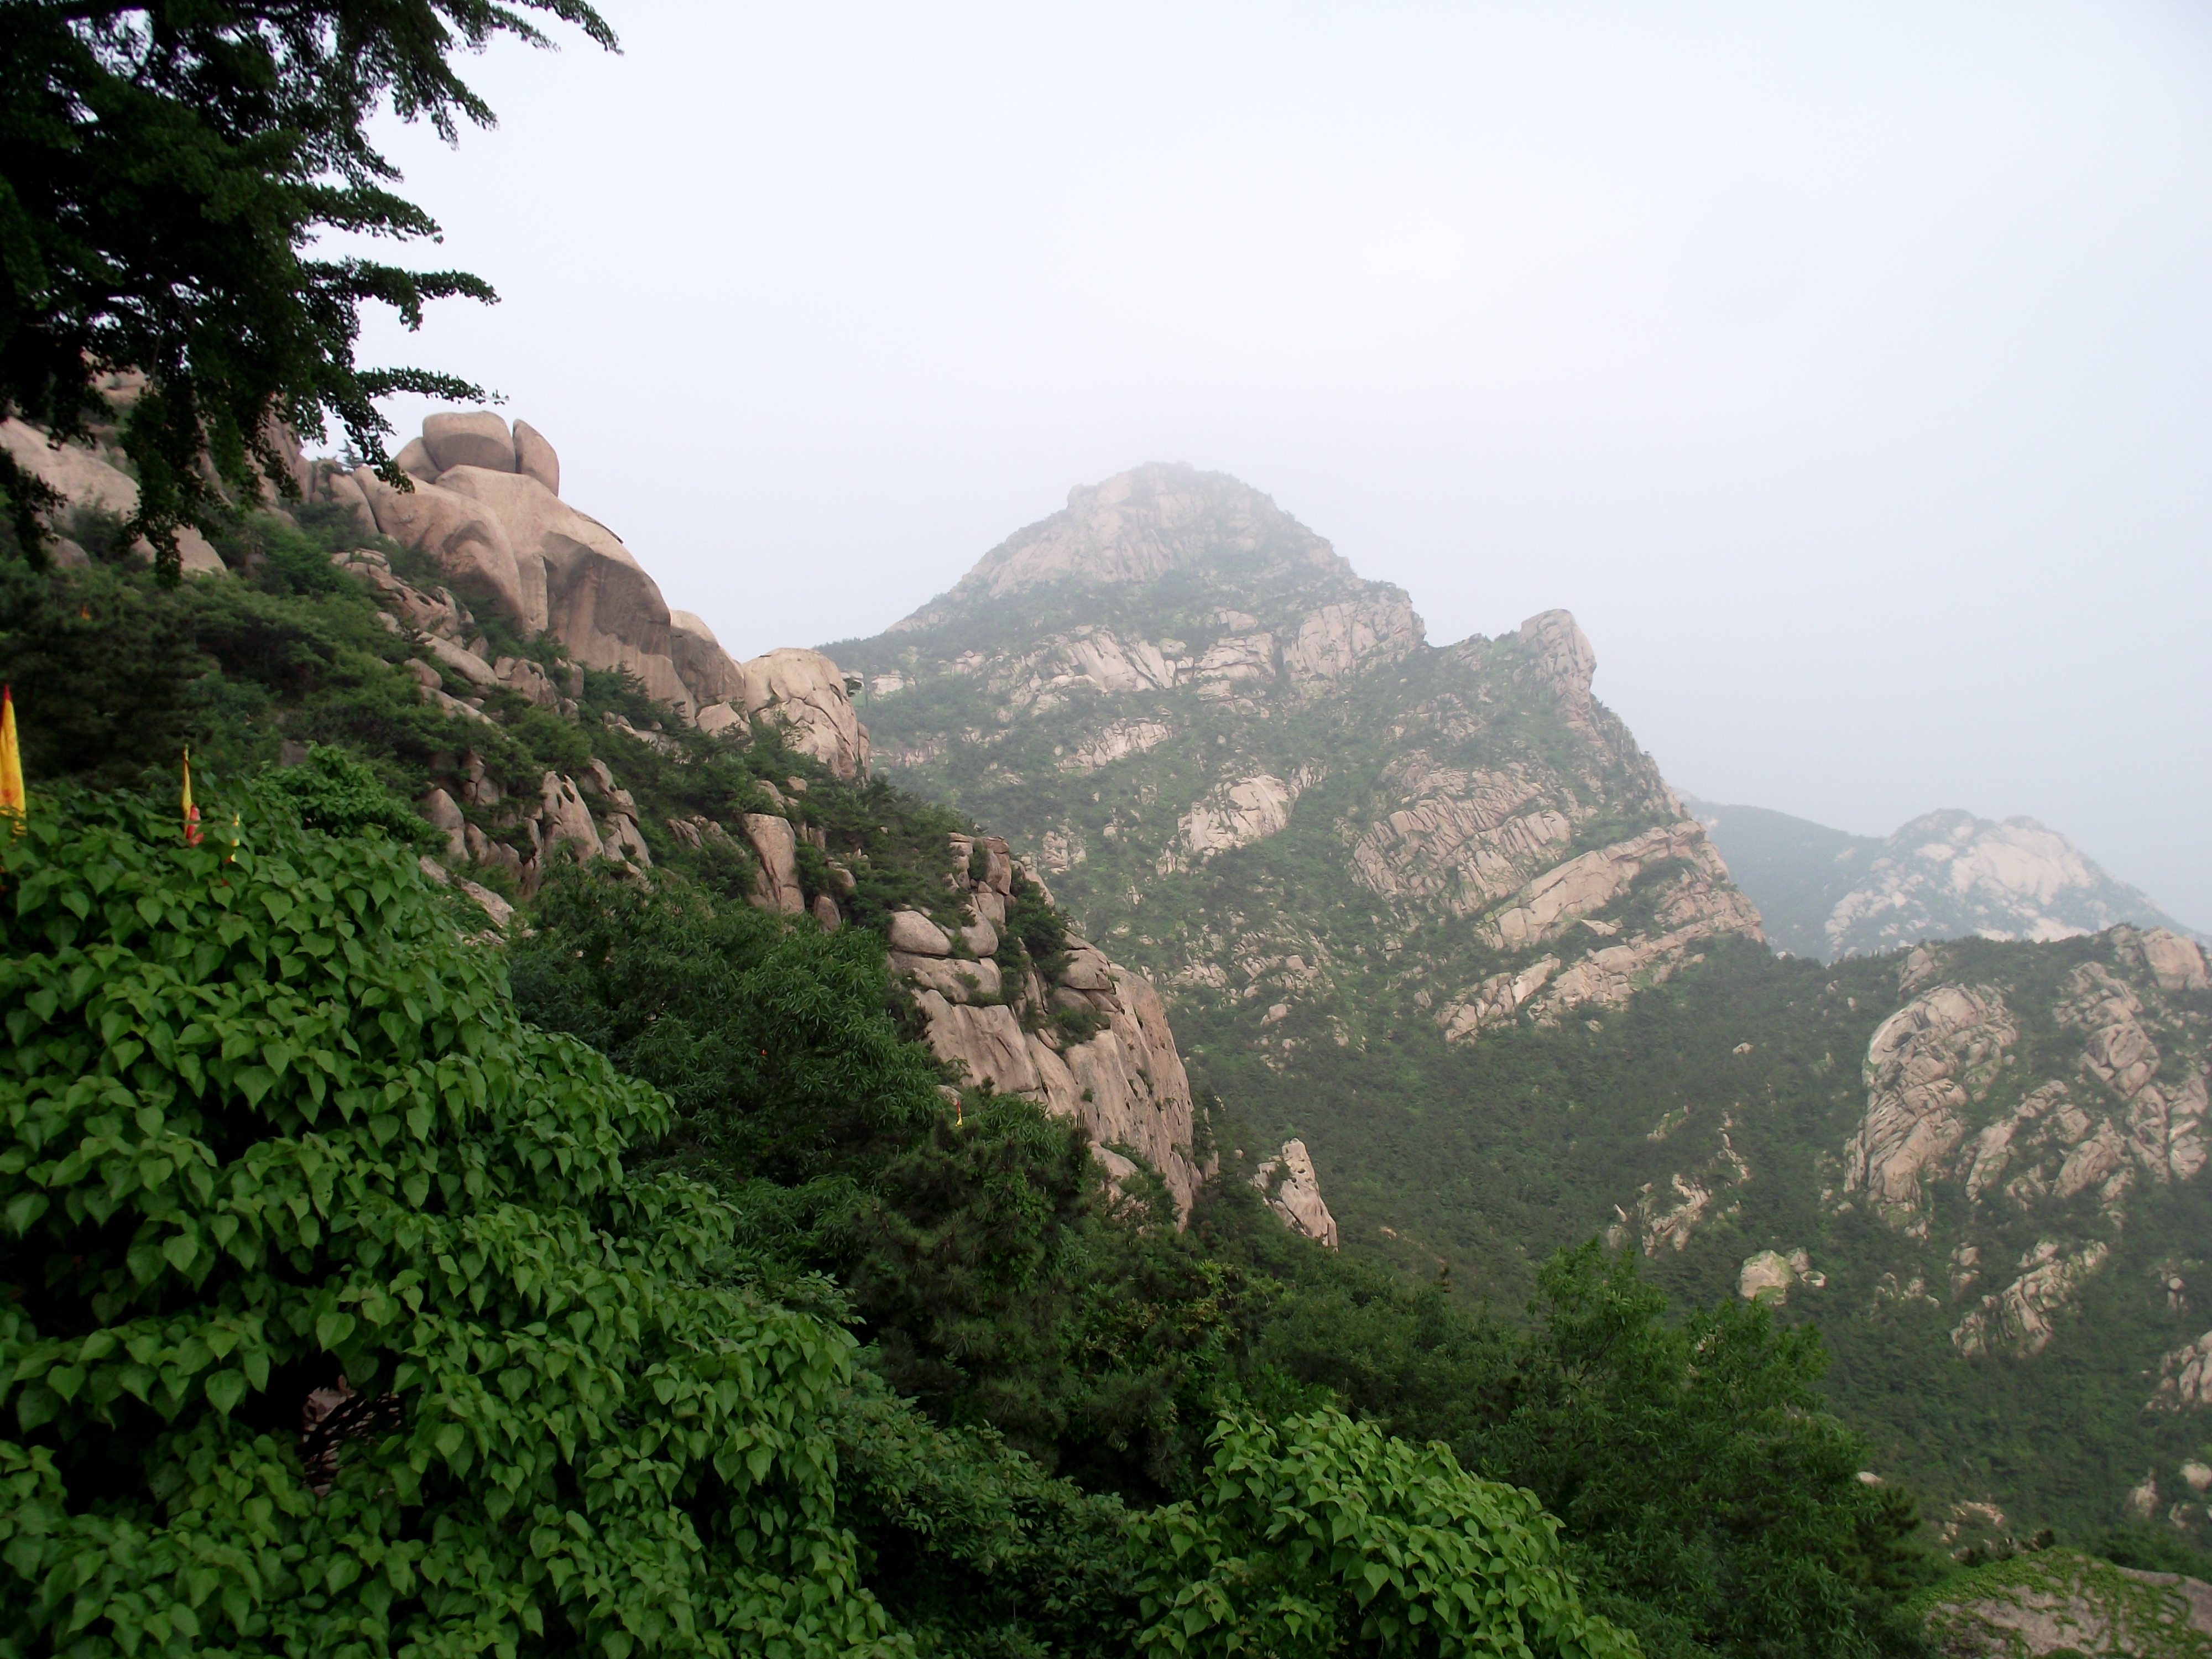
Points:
(682, 1308)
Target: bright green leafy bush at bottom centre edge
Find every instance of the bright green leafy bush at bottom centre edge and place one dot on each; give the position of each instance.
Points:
(1322, 1536)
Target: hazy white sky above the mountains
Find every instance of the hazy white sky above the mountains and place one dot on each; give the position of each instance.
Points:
(1846, 368)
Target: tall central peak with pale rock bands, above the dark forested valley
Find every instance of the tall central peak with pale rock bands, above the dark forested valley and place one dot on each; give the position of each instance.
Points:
(1249, 769)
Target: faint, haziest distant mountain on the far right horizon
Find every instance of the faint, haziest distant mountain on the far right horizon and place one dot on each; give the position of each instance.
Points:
(1945, 875)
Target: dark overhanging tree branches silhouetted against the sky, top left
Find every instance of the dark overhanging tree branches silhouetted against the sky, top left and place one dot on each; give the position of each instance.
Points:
(165, 171)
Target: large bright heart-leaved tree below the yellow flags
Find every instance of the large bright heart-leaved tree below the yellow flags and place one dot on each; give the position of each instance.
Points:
(271, 1125)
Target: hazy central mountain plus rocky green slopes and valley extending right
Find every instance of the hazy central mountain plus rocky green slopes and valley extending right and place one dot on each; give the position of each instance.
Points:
(1434, 912)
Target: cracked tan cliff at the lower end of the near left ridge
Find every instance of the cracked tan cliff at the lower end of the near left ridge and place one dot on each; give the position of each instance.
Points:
(1125, 1083)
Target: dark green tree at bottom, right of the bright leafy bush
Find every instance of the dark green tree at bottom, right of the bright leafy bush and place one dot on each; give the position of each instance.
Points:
(1720, 1501)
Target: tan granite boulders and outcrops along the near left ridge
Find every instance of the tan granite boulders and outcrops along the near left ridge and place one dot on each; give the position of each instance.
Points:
(501, 552)
